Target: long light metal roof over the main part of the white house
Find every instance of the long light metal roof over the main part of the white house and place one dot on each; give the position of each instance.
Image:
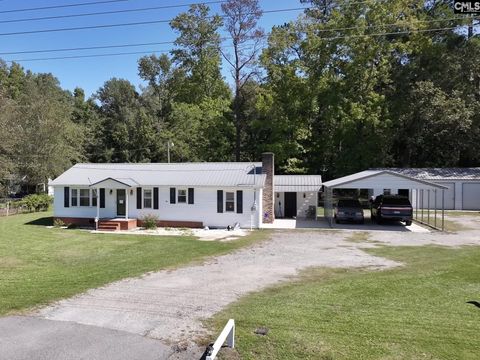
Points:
(187, 174)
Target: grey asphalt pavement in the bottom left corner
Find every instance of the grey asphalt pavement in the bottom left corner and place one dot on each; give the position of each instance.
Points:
(27, 338)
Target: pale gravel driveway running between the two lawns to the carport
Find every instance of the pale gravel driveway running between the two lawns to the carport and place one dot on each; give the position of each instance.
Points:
(170, 305)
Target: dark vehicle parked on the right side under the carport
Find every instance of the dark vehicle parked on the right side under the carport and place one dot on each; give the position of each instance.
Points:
(392, 207)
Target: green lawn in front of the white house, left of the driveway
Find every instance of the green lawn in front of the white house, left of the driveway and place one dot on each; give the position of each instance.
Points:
(38, 265)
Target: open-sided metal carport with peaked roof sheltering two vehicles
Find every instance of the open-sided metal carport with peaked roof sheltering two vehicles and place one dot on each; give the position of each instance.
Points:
(386, 182)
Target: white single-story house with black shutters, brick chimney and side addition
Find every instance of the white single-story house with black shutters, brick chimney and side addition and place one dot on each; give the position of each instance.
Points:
(119, 196)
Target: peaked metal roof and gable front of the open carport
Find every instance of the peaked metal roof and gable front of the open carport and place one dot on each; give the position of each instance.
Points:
(374, 178)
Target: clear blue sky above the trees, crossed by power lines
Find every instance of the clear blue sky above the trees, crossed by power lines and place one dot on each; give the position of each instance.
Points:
(91, 73)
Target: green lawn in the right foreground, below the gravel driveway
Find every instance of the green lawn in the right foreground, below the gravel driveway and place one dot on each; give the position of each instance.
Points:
(414, 312)
